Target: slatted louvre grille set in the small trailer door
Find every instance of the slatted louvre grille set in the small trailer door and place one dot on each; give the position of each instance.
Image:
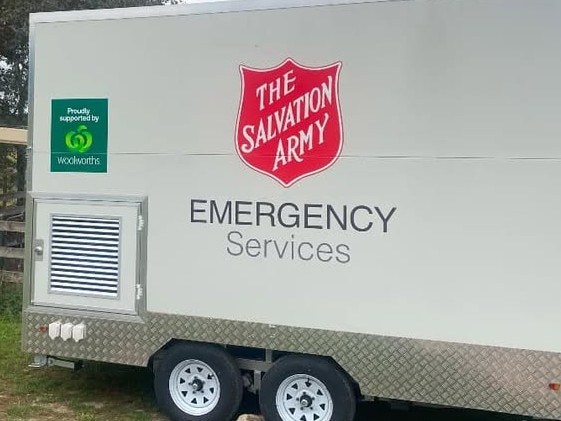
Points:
(85, 255)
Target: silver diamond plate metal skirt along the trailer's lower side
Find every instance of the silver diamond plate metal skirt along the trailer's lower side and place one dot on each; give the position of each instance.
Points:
(480, 377)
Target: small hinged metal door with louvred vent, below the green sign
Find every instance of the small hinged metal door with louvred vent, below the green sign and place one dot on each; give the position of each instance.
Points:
(86, 254)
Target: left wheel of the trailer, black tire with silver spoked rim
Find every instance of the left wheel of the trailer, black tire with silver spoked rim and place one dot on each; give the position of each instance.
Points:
(183, 368)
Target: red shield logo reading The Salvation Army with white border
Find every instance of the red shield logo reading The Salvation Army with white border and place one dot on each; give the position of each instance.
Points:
(289, 120)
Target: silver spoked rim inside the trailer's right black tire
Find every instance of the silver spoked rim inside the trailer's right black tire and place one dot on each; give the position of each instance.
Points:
(303, 398)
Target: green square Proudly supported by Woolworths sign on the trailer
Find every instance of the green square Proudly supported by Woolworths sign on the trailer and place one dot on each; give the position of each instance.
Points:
(79, 135)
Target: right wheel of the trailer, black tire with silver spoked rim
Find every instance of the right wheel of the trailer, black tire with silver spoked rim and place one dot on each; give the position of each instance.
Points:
(306, 388)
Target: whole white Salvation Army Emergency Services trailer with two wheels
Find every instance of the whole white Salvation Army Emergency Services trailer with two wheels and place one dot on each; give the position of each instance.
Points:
(322, 200)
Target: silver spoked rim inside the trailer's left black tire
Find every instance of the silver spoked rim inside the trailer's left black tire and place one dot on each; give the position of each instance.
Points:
(194, 387)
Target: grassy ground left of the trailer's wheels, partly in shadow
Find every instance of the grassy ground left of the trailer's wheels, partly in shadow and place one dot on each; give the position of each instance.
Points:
(98, 392)
